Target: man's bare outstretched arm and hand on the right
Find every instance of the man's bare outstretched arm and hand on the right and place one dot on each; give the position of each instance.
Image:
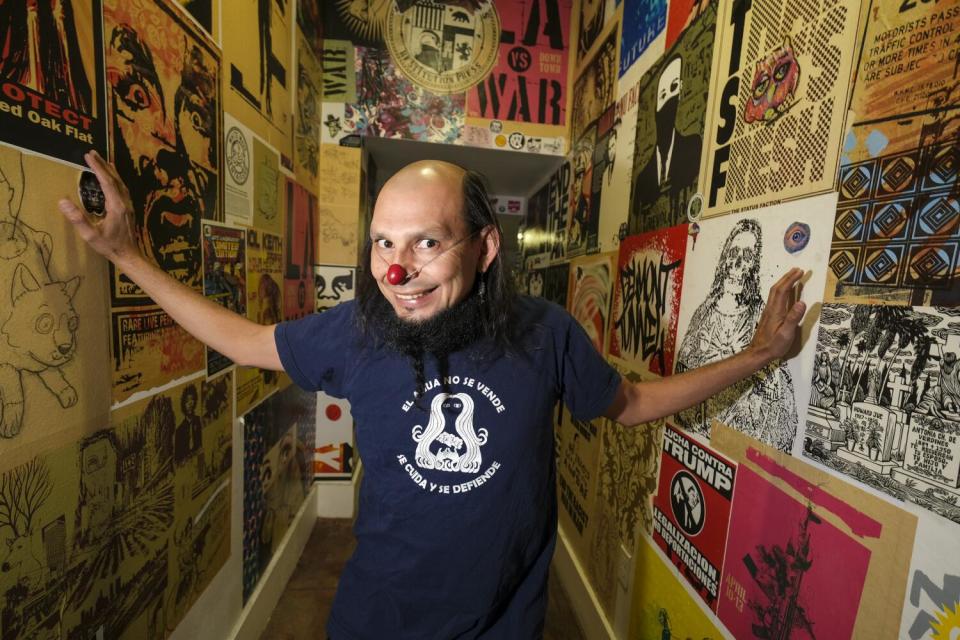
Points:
(777, 332)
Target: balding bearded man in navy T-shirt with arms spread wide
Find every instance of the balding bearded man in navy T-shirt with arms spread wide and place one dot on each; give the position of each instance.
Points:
(452, 382)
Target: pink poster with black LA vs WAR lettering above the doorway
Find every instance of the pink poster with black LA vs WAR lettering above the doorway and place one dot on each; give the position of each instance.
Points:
(527, 85)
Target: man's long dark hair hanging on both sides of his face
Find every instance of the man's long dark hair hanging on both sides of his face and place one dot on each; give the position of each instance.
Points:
(499, 292)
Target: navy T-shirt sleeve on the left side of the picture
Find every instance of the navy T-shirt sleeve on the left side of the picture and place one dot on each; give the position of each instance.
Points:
(313, 349)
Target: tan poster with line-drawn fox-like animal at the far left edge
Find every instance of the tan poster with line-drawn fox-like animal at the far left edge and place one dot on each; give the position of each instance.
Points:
(53, 293)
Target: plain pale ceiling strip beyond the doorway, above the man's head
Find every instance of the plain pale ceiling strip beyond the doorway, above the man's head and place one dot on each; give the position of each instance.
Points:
(508, 173)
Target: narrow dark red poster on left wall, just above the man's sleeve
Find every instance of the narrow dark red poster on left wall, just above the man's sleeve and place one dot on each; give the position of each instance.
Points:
(299, 297)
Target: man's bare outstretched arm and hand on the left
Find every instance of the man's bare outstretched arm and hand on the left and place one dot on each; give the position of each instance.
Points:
(243, 341)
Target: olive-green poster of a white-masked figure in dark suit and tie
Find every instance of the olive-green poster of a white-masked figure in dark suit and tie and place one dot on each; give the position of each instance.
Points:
(672, 97)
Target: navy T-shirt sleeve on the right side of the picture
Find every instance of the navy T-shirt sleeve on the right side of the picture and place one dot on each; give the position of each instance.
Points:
(587, 381)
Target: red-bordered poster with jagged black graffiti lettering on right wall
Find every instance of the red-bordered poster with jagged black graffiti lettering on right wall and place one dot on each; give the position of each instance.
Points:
(646, 300)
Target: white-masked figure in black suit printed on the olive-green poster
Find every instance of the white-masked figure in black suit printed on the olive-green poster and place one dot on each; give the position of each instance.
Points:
(674, 162)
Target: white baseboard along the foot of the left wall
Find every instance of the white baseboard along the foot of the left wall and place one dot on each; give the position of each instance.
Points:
(255, 616)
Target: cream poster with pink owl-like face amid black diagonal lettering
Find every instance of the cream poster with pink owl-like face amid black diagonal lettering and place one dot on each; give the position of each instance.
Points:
(779, 101)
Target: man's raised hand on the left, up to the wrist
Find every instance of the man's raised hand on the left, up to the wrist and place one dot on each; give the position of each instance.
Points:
(113, 236)
